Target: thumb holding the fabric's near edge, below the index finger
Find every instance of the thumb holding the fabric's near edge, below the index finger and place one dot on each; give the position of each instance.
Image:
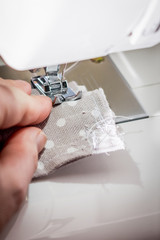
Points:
(18, 162)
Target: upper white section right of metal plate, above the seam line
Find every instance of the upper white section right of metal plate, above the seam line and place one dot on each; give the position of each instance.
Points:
(140, 67)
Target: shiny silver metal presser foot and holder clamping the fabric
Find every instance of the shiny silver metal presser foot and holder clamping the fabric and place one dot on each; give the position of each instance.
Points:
(54, 86)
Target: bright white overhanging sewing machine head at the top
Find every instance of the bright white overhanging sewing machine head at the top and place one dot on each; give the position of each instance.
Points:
(47, 32)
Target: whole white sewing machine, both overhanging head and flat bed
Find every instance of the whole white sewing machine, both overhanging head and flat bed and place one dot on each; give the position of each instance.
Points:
(102, 197)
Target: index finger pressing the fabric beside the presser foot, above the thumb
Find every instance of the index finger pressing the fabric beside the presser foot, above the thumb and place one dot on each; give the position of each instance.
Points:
(18, 108)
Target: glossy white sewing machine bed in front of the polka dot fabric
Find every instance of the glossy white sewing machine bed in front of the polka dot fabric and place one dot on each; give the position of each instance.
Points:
(100, 197)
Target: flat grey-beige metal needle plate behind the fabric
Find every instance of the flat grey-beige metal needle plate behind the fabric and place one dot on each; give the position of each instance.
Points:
(105, 75)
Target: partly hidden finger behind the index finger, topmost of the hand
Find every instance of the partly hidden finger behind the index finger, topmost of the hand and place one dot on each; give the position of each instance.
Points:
(23, 85)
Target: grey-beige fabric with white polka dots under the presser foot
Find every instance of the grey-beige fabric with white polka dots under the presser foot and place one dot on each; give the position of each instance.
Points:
(68, 129)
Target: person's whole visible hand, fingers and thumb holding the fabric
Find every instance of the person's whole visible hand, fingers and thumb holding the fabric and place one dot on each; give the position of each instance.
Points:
(18, 158)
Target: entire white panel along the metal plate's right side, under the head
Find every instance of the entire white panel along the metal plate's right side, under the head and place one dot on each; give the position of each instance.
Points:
(141, 70)
